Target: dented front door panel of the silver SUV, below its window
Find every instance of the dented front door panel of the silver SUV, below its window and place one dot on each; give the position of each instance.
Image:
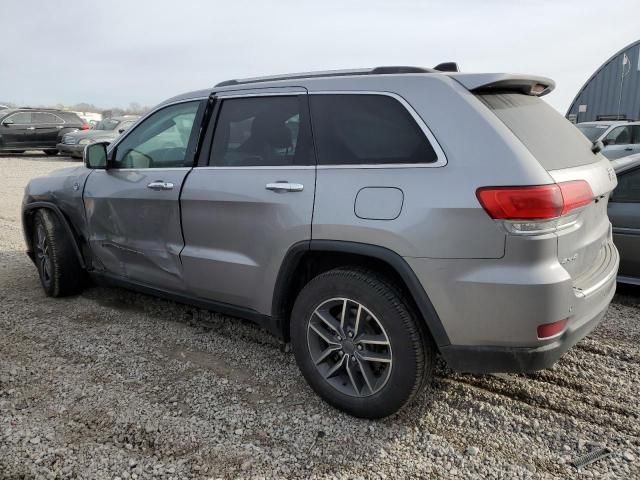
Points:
(136, 228)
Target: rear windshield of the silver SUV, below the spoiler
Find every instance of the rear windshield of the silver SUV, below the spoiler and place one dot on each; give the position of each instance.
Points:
(552, 139)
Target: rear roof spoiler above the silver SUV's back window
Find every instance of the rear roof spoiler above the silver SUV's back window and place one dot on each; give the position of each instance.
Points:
(504, 82)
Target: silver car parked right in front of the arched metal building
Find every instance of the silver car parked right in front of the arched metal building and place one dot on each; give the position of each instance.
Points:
(619, 138)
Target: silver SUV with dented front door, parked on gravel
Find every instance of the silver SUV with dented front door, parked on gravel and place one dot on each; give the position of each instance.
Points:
(425, 213)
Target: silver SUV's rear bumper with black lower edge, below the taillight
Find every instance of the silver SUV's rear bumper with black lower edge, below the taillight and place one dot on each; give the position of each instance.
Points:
(491, 323)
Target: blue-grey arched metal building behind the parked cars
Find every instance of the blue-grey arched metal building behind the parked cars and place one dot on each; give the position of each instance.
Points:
(613, 91)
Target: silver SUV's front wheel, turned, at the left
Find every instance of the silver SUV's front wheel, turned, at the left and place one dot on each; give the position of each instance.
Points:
(58, 266)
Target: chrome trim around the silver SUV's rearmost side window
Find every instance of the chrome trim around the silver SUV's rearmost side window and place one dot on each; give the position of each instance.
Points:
(441, 158)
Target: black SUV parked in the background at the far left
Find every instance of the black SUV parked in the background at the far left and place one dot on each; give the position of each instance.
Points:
(35, 129)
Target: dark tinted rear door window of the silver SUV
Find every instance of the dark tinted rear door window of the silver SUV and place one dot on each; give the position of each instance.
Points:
(262, 131)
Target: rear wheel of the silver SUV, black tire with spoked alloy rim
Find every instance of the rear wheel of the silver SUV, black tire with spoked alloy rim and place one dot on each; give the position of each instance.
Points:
(358, 343)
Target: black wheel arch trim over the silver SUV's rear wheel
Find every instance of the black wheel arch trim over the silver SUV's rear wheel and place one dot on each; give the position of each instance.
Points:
(307, 259)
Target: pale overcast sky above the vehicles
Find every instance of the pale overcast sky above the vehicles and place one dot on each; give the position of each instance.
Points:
(110, 53)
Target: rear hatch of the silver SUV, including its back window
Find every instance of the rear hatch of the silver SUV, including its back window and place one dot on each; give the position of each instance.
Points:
(584, 245)
